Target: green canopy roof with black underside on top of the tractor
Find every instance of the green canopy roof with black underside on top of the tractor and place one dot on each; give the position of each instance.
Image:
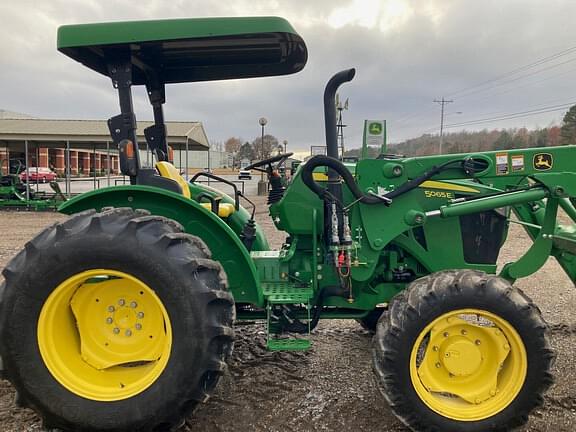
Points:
(187, 50)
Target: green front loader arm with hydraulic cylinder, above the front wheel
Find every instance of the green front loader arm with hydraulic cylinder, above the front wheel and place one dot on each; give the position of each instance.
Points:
(531, 182)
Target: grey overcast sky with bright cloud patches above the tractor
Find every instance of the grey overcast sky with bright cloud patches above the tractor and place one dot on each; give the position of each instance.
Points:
(407, 53)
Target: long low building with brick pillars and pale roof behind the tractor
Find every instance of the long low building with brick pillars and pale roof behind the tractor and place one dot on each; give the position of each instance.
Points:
(84, 145)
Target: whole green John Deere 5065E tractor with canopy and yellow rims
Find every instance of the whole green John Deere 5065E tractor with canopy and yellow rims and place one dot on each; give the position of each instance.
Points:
(121, 317)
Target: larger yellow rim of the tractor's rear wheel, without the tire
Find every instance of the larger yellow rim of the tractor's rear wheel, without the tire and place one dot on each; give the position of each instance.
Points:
(104, 335)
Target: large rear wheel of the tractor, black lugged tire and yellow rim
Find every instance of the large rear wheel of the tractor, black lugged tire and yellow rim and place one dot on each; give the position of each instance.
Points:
(187, 292)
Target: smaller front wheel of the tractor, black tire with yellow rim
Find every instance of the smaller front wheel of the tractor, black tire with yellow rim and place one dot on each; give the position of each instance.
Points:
(462, 351)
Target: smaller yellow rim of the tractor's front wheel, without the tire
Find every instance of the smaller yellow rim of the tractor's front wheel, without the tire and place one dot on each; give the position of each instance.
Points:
(468, 365)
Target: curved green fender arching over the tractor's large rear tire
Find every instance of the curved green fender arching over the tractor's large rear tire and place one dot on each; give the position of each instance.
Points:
(223, 242)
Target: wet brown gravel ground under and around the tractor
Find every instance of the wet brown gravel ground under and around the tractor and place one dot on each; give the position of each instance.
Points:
(329, 387)
